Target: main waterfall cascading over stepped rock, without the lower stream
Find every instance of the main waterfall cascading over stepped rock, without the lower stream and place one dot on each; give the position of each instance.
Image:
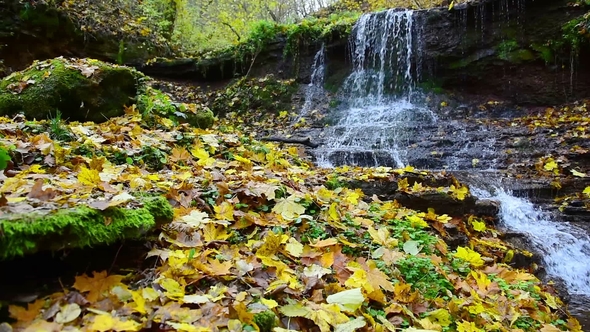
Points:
(372, 126)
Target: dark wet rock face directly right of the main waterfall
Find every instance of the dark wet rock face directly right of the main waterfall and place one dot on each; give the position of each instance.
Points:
(496, 48)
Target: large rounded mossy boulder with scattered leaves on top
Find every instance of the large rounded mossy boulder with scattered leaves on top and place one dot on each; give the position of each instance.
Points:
(81, 89)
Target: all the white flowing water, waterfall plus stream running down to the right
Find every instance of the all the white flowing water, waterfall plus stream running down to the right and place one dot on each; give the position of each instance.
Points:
(381, 120)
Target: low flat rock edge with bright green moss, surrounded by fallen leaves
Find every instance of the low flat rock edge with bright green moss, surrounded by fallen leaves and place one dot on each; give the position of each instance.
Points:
(80, 227)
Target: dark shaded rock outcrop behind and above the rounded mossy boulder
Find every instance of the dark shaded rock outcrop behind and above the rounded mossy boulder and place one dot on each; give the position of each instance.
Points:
(38, 30)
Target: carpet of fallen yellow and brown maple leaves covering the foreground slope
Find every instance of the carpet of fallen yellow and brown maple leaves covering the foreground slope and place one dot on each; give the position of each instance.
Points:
(263, 240)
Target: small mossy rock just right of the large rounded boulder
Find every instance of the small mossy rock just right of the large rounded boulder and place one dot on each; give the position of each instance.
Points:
(152, 102)
